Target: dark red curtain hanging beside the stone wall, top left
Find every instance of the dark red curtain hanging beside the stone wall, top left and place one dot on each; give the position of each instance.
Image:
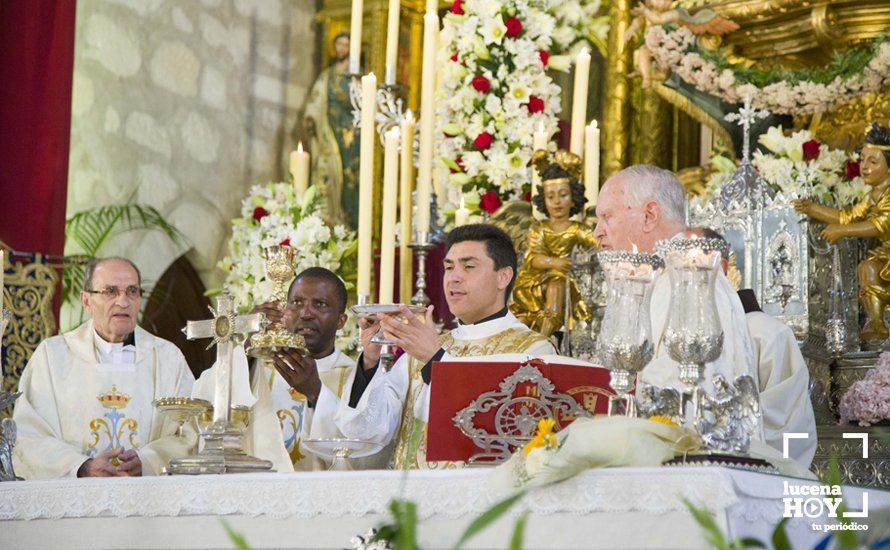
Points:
(36, 66)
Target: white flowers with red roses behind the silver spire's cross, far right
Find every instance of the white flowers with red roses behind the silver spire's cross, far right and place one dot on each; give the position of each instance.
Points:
(798, 166)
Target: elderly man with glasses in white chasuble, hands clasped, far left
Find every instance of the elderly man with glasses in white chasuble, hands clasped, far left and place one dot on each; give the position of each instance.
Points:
(86, 404)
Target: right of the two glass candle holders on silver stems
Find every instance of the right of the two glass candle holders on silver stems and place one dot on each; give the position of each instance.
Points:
(693, 335)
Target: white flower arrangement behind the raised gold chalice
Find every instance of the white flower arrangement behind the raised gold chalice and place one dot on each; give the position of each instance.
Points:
(271, 215)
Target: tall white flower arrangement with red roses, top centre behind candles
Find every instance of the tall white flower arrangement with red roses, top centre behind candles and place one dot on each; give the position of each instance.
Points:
(495, 91)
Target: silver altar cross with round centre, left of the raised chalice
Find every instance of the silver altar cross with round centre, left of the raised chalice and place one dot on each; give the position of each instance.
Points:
(226, 329)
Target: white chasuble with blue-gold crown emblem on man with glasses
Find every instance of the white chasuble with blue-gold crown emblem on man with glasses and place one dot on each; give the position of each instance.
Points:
(73, 407)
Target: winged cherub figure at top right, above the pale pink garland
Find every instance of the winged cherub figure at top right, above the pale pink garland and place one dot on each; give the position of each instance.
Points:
(659, 12)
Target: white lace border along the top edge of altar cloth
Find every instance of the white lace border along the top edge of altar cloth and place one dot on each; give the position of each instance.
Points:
(335, 494)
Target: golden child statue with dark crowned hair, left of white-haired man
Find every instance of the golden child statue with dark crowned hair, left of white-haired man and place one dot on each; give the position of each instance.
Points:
(539, 297)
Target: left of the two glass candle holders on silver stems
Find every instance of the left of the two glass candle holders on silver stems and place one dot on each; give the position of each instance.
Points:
(625, 339)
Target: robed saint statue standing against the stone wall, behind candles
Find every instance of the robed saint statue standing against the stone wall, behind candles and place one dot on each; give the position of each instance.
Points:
(333, 140)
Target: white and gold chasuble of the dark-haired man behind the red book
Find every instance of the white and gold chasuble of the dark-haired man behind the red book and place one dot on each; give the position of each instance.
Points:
(395, 405)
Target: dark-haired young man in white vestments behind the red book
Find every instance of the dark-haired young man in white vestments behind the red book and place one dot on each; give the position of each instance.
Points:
(392, 407)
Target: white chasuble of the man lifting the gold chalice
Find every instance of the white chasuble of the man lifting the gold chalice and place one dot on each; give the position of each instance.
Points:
(296, 419)
